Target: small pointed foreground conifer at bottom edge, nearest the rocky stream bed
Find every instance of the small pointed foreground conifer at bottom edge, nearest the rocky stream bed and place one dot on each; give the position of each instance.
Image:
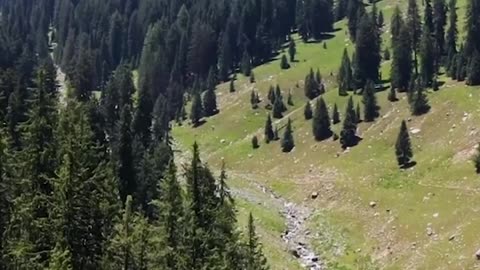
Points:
(255, 260)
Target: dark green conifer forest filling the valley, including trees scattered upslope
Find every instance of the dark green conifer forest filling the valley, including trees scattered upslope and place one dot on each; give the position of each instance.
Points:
(87, 172)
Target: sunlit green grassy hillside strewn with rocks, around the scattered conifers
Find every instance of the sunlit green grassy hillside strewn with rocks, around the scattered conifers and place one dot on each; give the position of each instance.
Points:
(439, 194)
